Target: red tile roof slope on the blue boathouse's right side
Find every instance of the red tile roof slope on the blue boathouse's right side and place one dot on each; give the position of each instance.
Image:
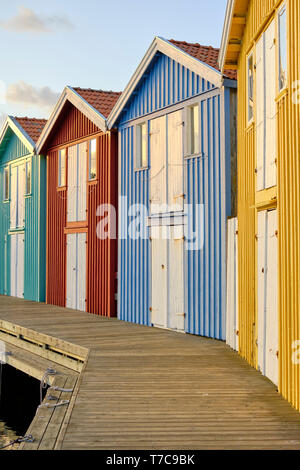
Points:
(207, 54)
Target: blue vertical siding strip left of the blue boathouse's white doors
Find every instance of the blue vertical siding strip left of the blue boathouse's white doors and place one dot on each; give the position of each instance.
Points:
(134, 255)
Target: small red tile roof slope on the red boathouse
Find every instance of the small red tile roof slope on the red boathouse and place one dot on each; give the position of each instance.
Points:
(102, 101)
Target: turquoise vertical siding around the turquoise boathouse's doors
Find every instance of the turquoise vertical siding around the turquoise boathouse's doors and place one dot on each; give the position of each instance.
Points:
(35, 220)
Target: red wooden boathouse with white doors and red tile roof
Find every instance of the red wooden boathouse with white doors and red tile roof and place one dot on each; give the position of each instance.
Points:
(81, 175)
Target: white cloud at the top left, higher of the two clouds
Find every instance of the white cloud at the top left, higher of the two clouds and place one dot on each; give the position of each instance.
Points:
(29, 22)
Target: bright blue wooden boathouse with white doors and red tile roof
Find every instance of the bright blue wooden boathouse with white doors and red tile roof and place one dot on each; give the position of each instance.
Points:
(177, 173)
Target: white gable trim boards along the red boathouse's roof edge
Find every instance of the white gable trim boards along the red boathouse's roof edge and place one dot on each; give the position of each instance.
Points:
(81, 104)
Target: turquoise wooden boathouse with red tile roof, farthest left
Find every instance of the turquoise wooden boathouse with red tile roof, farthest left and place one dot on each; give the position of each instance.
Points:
(23, 210)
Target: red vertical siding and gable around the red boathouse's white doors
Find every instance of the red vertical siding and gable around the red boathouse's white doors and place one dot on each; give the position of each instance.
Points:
(102, 254)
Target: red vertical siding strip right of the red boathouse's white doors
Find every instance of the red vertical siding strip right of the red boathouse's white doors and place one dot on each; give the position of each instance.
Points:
(102, 254)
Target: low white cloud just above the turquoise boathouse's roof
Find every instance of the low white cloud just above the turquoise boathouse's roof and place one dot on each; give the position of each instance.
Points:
(26, 94)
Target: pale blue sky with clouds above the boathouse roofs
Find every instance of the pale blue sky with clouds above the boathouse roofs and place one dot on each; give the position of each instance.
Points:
(88, 43)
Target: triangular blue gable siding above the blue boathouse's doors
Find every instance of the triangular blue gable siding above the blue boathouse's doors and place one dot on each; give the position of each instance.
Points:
(166, 82)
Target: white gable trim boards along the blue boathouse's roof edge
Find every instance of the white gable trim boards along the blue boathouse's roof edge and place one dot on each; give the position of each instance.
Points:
(162, 45)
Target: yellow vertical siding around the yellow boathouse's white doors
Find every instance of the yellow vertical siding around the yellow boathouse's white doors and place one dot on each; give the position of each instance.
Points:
(288, 167)
